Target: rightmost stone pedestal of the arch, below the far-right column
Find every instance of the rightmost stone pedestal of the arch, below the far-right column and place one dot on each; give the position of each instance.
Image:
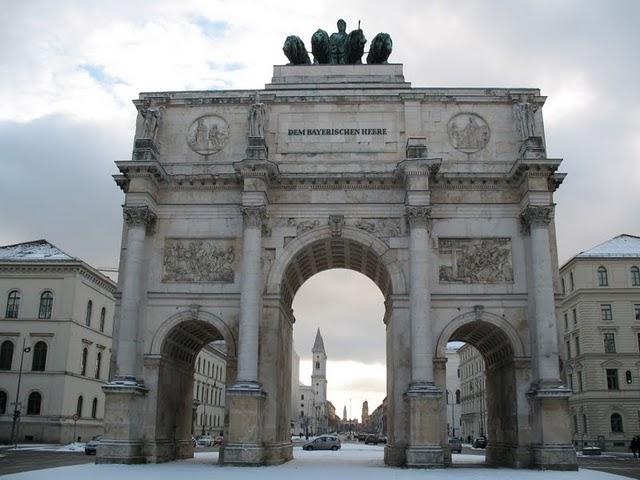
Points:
(551, 448)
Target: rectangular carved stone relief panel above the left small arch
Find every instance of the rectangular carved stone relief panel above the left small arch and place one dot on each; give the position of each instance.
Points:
(199, 260)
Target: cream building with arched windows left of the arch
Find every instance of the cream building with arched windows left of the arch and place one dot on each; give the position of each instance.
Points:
(56, 318)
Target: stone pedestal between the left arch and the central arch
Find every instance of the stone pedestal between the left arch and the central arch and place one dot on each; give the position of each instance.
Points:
(244, 445)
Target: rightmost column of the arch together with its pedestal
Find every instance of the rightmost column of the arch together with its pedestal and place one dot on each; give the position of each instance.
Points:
(551, 429)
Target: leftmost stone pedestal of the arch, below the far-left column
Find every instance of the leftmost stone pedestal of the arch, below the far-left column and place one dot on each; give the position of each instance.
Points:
(123, 420)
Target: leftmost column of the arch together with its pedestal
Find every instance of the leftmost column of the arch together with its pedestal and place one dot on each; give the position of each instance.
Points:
(124, 395)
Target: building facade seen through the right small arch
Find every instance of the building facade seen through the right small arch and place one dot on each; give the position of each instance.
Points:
(473, 416)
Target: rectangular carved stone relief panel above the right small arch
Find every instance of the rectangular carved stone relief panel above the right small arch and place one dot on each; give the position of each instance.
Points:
(475, 260)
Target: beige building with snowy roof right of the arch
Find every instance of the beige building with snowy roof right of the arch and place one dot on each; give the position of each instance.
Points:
(599, 329)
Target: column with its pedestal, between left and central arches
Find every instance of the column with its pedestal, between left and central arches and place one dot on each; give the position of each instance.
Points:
(246, 397)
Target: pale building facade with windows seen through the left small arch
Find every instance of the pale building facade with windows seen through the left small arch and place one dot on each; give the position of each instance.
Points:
(209, 385)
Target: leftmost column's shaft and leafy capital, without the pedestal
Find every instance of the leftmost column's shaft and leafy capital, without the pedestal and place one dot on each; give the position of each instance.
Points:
(139, 220)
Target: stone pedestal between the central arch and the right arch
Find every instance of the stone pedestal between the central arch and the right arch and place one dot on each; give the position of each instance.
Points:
(424, 449)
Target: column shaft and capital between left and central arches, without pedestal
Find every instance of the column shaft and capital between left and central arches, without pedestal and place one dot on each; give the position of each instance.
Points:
(250, 296)
